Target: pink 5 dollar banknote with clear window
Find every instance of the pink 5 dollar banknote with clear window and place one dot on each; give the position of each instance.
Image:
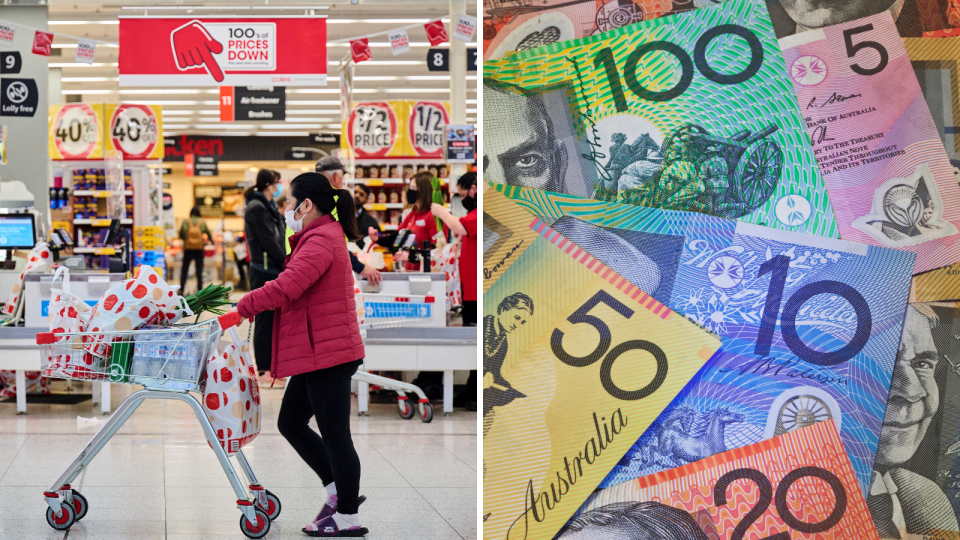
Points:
(882, 159)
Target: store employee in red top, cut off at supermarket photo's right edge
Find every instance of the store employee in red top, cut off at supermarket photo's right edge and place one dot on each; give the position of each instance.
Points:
(465, 228)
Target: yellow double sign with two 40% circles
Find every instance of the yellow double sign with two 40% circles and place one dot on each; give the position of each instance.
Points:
(85, 131)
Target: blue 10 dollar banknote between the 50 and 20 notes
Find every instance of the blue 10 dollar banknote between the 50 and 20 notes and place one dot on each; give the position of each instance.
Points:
(810, 326)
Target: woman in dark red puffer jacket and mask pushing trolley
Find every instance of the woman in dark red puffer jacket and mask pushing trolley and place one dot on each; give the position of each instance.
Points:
(316, 342)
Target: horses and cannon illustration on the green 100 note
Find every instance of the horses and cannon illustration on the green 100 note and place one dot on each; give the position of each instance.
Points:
(696, 171)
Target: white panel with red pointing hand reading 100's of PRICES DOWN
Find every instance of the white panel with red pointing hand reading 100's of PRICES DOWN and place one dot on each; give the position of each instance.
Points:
(223, 47)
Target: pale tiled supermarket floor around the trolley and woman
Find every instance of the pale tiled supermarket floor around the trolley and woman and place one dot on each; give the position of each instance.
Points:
(158, 479)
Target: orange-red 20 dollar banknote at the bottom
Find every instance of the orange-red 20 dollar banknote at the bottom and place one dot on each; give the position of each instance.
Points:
(799, 485)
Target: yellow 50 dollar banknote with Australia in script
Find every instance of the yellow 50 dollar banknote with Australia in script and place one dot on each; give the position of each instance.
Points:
(577, 362)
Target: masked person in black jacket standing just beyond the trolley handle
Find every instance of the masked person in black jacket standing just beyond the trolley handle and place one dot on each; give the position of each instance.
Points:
(266, 232)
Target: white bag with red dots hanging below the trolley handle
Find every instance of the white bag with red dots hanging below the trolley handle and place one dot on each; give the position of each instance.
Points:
(231, 397)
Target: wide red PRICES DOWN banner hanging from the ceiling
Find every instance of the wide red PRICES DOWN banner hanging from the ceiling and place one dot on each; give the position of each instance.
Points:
(270, 51)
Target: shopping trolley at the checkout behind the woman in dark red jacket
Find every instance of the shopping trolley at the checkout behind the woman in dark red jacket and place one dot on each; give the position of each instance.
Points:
(393, 311)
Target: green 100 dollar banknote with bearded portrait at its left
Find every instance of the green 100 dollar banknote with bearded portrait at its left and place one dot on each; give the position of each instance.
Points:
(691, 112)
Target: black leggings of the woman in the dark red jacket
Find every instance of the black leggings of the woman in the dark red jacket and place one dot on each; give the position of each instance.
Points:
(324, 394)
